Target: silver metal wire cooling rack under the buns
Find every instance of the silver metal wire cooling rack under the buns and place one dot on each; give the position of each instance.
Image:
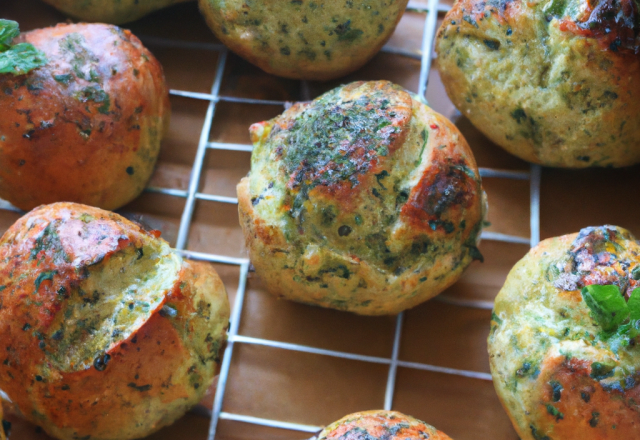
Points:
(192, 195)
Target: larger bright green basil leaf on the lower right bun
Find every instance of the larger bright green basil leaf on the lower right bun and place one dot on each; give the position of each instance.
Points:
(607, 305)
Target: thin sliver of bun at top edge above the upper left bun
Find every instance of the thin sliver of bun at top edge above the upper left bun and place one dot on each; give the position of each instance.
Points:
(110, 11)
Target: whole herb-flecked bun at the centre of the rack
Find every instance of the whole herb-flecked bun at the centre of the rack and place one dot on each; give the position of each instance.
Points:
(363, 200)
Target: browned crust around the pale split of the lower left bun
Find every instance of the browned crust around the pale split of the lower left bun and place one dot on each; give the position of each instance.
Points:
(152, 363)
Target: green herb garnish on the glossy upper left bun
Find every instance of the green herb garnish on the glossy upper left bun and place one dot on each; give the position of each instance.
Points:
(20, 58)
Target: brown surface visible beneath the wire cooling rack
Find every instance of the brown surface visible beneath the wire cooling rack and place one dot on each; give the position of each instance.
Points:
(311, 389)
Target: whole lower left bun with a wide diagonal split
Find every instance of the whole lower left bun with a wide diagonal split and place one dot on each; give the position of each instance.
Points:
(107, 332)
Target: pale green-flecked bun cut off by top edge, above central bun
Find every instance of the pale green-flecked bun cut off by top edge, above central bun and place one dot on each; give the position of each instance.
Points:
(304, 39)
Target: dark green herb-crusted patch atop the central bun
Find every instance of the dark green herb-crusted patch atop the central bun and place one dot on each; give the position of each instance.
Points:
(340, 137)
